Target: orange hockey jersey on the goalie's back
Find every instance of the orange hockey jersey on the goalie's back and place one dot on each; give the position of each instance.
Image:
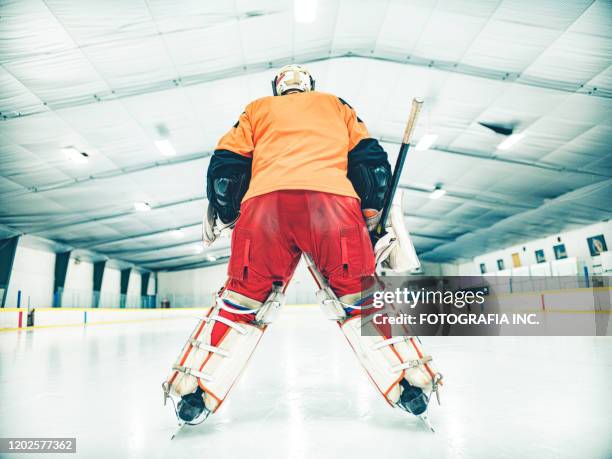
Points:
(298, 141)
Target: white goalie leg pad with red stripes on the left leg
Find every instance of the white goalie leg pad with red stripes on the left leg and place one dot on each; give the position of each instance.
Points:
(214, 368)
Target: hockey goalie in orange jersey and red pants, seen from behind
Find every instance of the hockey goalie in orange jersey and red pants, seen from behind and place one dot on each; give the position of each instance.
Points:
(298, 175)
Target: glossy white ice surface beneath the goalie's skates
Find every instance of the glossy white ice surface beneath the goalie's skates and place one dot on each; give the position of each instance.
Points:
(304, 395)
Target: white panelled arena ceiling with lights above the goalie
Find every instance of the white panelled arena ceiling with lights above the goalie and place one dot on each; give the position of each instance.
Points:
(112, 79)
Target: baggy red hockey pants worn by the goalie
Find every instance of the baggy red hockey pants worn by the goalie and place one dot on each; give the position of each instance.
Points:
(275, 228)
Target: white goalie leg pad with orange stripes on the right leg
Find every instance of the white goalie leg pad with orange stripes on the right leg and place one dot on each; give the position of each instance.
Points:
(388, 361)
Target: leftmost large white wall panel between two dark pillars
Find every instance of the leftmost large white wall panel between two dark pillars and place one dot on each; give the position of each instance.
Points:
(33, 274)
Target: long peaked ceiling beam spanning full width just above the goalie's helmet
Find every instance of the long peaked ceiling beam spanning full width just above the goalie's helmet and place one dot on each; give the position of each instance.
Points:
(307, 58)
